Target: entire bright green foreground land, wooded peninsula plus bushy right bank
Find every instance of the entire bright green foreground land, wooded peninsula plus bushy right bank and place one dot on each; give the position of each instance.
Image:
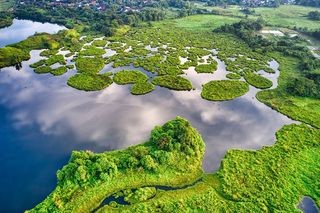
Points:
(270, 179)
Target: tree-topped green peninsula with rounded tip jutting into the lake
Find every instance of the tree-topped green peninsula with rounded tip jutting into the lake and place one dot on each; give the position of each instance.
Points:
(172, 156)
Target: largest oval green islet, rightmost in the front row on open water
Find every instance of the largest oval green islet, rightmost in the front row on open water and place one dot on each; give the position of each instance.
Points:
(224, 90)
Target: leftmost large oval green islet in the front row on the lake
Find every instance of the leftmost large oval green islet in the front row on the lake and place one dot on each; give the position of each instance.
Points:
(90, 82)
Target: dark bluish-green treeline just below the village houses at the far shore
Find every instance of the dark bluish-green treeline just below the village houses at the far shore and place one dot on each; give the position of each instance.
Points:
(102, 22)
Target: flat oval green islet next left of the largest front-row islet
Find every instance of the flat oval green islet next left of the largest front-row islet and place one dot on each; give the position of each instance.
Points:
(172, 82)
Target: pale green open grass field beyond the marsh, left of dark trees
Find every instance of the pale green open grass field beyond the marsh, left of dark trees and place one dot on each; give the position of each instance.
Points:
(204, 22)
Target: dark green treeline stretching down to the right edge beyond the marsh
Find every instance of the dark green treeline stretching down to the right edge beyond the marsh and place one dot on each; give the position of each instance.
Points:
(308, 83)
